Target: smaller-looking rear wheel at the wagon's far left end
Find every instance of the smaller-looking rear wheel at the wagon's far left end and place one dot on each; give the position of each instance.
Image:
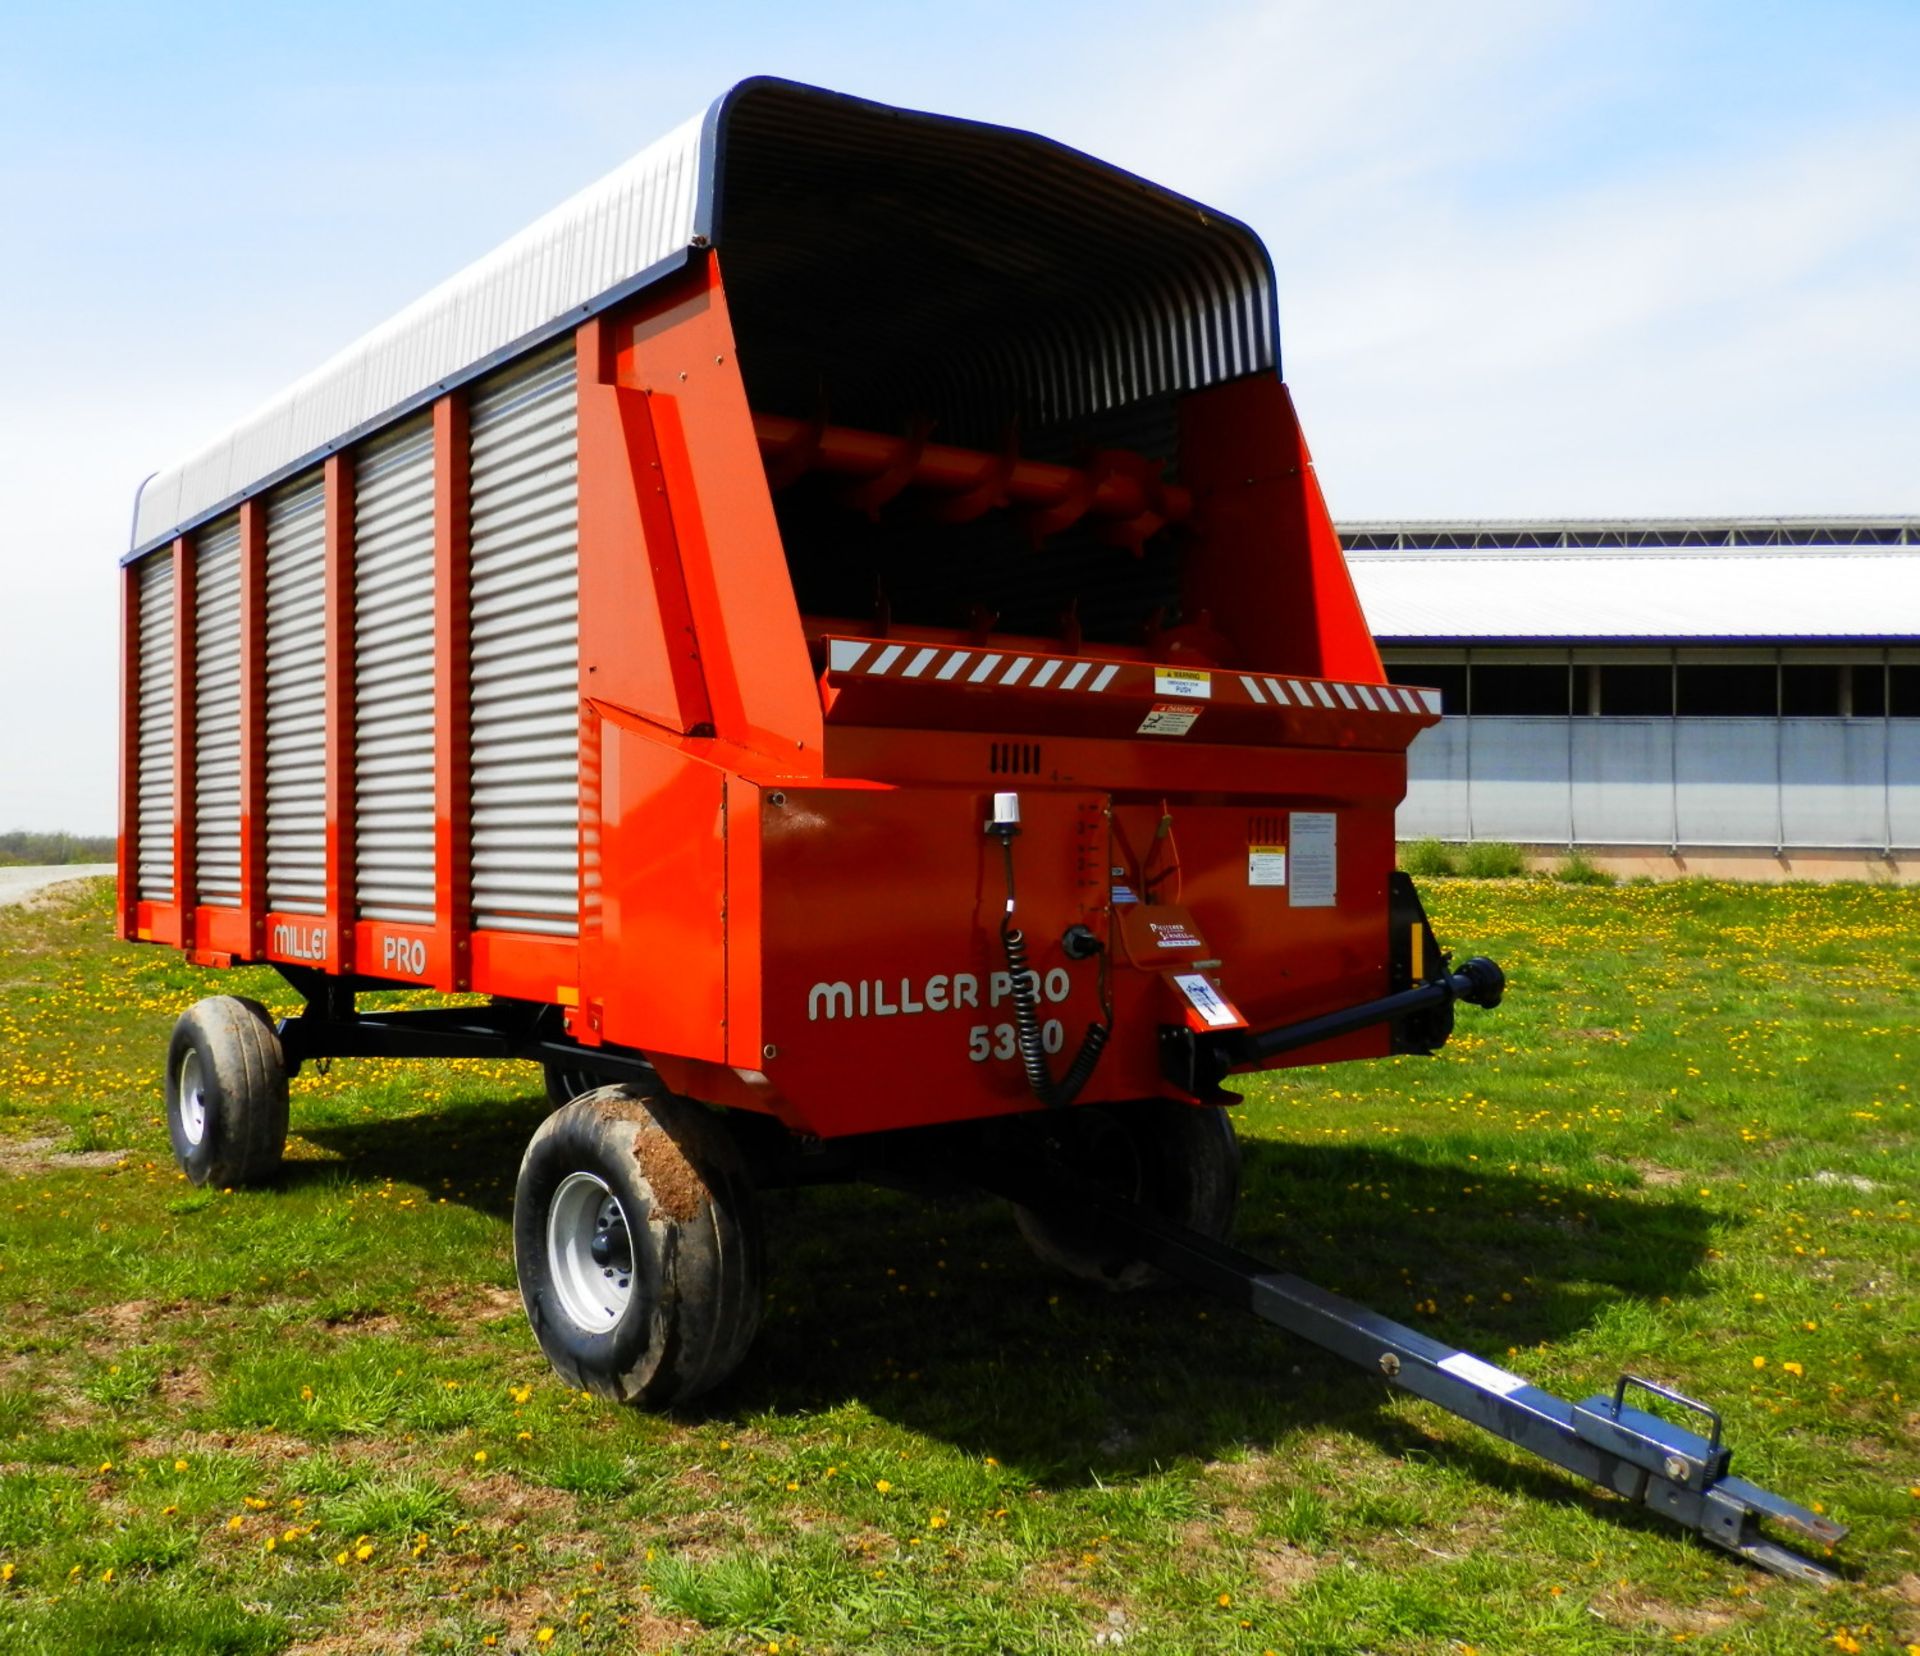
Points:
(228, 1093)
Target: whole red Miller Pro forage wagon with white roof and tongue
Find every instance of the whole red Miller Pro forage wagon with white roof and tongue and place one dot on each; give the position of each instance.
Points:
(836, 636)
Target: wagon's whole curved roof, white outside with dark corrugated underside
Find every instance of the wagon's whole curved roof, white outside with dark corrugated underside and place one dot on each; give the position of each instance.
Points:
(1044, 272)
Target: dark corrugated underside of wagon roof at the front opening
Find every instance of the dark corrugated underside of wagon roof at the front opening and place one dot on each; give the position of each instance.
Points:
(969, 273)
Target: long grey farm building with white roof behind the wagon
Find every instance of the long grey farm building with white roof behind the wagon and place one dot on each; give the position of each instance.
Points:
(1731, 692)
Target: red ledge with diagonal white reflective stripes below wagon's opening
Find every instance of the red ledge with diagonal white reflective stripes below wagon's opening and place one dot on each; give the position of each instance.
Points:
(1005, 688)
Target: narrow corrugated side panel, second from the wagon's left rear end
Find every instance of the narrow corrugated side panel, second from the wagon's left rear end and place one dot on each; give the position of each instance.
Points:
(218, 715)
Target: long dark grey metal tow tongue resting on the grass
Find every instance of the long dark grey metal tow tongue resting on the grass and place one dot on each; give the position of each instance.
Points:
(1652, 1461)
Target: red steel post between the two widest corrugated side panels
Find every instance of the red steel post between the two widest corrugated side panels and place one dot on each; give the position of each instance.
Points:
(452, 755)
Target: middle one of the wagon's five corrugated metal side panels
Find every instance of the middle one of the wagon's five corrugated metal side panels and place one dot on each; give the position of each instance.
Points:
(297, 698)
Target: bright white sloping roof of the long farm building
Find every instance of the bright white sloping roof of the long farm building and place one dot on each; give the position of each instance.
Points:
(1644, 596)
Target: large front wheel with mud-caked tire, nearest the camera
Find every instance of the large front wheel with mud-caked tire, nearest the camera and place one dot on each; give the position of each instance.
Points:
(658, 1185)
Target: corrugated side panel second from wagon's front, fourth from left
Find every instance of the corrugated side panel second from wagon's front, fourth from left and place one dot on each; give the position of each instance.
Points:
(395, 676)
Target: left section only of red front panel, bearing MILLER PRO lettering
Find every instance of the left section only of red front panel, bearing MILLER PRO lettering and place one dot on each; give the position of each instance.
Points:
(884, 983)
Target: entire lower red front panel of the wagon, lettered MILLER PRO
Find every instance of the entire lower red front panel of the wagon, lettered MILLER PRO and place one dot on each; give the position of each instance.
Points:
(884, 983)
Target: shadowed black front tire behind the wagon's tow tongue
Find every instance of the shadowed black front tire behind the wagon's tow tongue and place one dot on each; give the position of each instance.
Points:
(1178, 1160)
